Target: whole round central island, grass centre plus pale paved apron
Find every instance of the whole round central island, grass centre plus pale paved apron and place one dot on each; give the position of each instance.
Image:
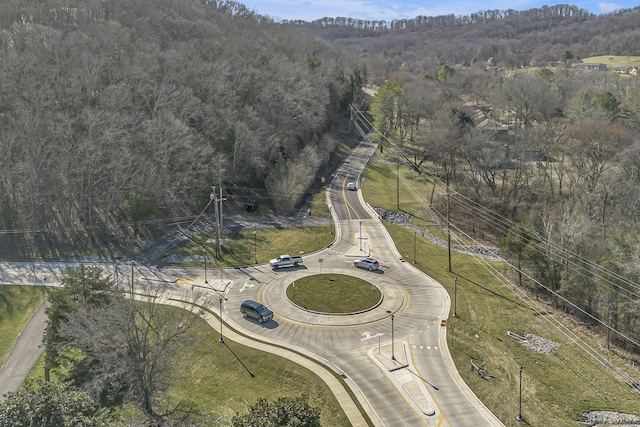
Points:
(373, 296)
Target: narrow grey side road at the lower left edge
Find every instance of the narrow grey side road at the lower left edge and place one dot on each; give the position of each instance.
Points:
(25, 354)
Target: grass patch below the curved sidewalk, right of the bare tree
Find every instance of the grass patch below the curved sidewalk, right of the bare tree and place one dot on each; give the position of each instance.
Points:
(221, 379)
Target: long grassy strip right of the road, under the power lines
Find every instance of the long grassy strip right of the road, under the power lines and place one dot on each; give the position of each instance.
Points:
(556, 387)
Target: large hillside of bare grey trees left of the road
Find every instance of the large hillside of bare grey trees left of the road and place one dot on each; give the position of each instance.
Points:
(117, 112)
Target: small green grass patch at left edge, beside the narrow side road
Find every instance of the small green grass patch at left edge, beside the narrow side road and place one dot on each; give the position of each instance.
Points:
(17, 305)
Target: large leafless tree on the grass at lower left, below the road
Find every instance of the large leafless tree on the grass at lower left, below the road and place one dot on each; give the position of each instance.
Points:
(128, 349)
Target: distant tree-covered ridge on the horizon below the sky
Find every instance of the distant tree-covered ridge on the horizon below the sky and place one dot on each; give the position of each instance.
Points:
(513, 38)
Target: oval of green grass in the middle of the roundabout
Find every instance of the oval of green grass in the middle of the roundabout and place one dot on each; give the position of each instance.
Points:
(333, 293)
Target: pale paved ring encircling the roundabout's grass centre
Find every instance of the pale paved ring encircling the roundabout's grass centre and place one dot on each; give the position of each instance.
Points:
(393, 299)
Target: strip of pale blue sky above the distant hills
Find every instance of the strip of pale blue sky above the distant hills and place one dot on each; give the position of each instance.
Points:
(389, 10)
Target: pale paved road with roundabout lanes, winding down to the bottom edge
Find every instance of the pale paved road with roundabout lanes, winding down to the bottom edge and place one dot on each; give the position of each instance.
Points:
(394, 357)
